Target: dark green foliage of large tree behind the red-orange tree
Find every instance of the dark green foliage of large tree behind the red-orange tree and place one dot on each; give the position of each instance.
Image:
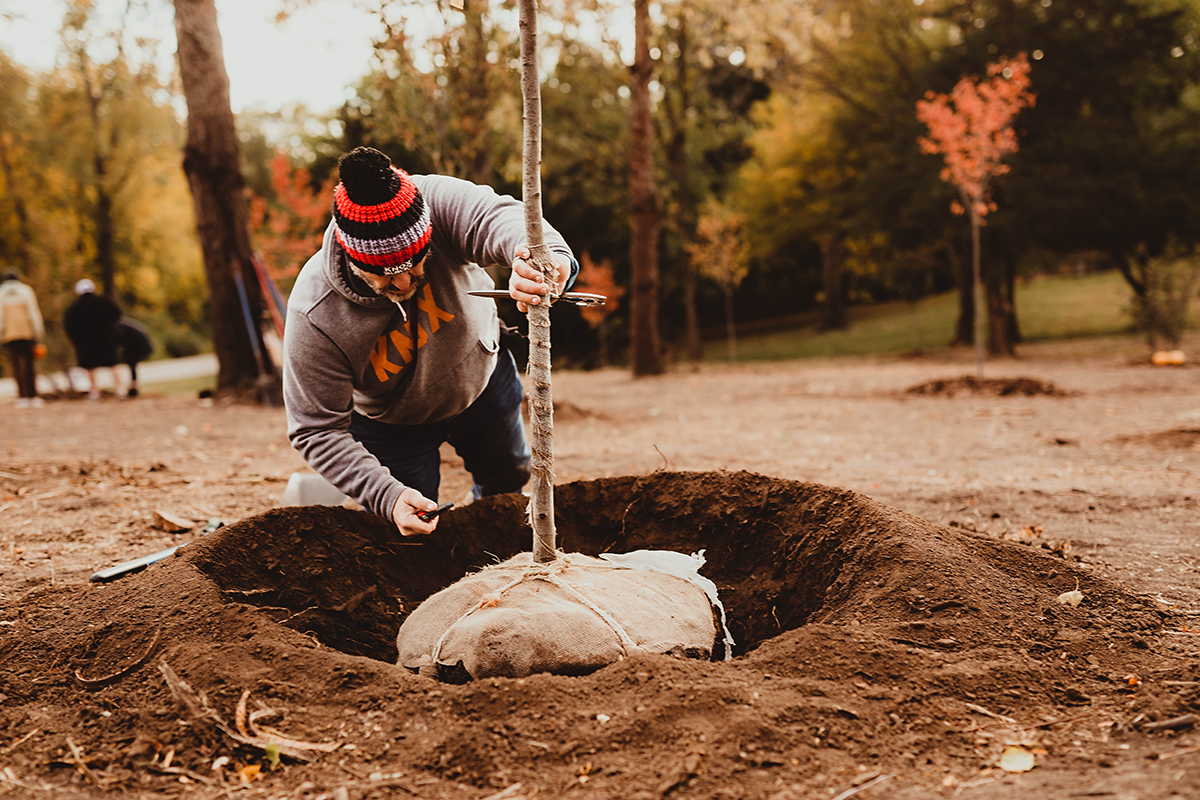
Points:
(1109, 155)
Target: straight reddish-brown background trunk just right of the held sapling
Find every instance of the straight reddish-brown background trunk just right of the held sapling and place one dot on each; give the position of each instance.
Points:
(646, 347)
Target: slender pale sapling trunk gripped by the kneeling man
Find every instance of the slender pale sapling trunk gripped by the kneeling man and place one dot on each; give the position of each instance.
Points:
(542, 404)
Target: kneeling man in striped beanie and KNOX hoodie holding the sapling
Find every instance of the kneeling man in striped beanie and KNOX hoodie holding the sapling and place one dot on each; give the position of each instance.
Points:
(386, 357)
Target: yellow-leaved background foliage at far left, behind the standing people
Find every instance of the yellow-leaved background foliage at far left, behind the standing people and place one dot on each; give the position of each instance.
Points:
(57, 215)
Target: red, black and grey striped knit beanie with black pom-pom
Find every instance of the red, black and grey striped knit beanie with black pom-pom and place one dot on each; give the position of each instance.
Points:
(380, 218)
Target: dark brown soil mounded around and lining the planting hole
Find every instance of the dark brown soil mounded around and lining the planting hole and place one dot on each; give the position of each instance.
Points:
(869, 642)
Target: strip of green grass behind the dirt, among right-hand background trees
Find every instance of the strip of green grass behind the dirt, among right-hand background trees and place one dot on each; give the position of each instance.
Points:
(1048, 309)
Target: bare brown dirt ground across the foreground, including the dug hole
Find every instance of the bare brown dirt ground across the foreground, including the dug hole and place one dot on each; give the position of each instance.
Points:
(891, 562)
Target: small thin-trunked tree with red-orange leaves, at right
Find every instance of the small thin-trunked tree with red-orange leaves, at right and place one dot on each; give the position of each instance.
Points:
(973, 129)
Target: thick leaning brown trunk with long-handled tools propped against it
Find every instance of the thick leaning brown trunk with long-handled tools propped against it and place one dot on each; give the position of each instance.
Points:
(214, 175)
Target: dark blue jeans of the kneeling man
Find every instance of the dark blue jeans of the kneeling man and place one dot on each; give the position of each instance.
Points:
(489, 436)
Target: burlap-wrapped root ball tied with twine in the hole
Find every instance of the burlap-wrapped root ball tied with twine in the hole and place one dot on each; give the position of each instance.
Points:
(571, 617)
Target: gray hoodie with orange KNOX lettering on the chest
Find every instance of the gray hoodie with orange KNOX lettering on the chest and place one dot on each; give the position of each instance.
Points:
(346, 348)
